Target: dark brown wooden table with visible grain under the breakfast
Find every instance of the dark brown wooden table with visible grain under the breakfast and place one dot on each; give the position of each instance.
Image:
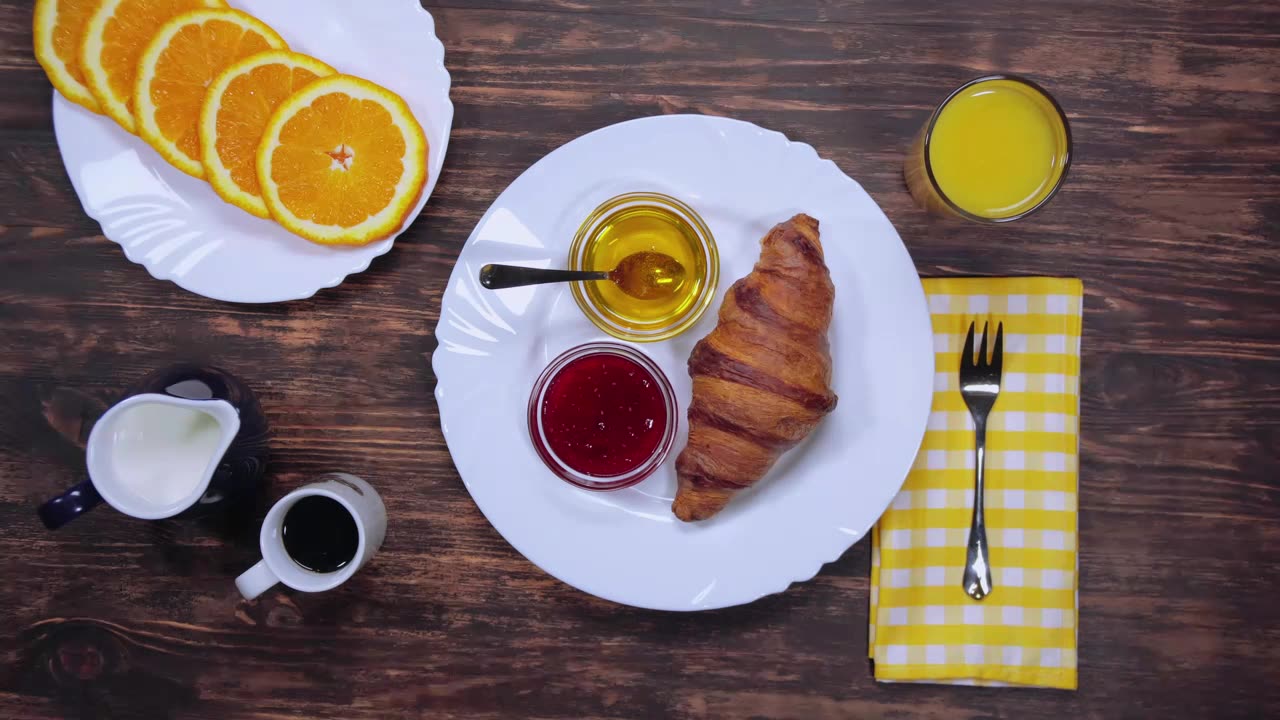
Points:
(1172, 216)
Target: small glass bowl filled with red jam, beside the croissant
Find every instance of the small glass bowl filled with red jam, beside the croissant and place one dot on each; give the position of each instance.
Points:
(602, 417)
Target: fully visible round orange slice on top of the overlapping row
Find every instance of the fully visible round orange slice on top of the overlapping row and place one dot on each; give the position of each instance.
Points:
(342, 162)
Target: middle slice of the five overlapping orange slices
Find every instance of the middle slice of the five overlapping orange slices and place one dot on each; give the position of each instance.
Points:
(176, 71)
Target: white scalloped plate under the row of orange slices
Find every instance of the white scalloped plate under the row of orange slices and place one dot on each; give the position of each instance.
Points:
(181, 231)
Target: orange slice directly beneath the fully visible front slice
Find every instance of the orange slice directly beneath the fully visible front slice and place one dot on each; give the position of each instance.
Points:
(236, 112)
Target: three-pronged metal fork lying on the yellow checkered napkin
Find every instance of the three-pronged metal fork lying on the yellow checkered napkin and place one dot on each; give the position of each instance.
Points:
(980, 386)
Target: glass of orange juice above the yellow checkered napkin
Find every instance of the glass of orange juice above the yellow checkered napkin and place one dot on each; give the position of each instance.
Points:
(995, 151)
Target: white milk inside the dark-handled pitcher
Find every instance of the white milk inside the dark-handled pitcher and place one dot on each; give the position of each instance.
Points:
(162, 453)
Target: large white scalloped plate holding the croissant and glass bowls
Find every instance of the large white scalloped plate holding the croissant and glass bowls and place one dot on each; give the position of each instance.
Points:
(627, 546)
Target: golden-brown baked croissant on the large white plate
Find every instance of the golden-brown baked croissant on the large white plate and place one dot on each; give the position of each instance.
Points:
(762, 379)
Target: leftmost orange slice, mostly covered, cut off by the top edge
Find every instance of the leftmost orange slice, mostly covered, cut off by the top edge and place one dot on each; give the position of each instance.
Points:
(58, 33)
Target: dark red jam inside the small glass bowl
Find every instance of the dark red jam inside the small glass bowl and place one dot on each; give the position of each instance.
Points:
(604, 416)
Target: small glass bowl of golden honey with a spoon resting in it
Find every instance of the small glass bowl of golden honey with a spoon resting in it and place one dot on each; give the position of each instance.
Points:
(644, 222)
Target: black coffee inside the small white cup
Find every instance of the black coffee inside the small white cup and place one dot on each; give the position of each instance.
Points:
(321, 535)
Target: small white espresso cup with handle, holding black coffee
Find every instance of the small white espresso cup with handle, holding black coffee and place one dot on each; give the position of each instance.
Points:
(321, 534)
